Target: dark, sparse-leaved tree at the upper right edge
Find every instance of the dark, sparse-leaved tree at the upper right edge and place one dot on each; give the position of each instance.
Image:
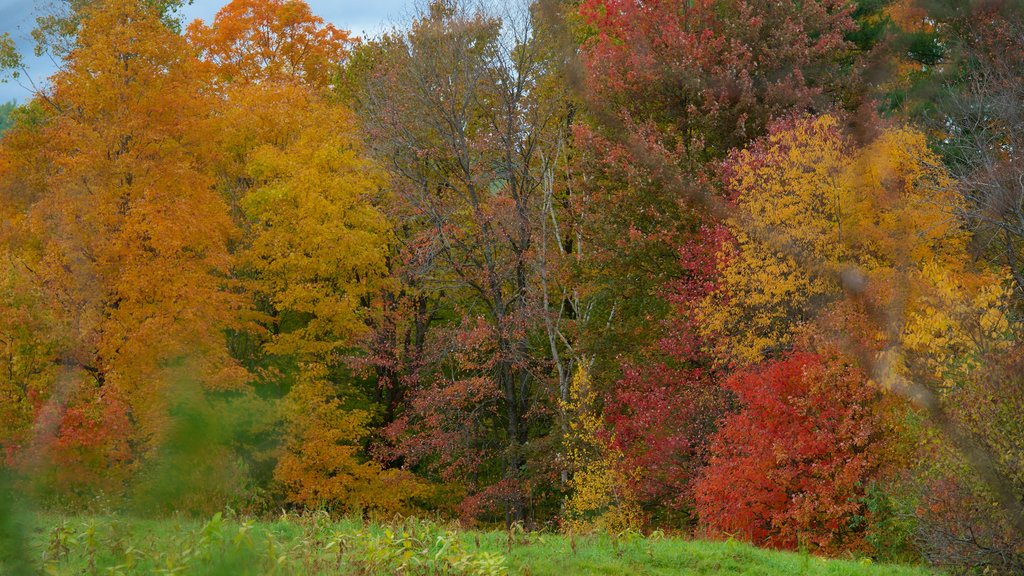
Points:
(982, 126)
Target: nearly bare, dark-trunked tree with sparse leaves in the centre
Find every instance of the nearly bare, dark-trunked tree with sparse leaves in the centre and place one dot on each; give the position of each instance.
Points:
(457, 116)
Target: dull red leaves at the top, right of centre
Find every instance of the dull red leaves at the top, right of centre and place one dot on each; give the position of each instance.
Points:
(722, 71)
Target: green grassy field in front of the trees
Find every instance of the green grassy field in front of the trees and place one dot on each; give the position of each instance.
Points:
(315, 545)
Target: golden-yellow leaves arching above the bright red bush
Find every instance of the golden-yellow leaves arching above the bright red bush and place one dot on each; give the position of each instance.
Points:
(812, 204)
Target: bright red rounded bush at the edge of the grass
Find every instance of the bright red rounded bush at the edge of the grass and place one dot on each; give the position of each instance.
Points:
(792, 466)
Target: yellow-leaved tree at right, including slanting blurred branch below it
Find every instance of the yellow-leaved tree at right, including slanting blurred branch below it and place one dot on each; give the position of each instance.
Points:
(861, 248)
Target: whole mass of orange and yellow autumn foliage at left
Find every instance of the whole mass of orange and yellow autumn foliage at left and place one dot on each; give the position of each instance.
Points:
(191, 222)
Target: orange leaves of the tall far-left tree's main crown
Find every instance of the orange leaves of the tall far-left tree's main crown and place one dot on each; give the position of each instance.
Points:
(127, 176)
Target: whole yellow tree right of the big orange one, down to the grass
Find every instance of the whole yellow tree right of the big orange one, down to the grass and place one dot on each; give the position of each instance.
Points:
(318, 253)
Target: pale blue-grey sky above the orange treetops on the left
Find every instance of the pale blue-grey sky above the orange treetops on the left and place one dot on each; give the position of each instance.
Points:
(364, 18)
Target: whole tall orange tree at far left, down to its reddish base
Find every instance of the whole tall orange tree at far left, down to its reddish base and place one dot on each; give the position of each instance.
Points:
(131, 293)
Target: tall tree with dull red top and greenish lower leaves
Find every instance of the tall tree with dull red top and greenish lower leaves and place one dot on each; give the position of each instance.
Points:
(671, 88)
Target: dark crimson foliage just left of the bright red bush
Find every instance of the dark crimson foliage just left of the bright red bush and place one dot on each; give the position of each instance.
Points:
(667, 405)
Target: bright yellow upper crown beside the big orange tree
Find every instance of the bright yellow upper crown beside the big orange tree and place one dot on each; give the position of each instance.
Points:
(318, 244)
